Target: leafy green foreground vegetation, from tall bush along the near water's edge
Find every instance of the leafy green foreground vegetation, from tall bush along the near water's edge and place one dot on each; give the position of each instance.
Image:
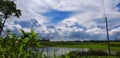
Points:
(24, 46)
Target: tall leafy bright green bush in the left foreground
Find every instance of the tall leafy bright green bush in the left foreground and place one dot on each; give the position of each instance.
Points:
(13, 46)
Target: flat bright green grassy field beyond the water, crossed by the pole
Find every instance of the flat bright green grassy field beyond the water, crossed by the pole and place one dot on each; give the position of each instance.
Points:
(115, 46)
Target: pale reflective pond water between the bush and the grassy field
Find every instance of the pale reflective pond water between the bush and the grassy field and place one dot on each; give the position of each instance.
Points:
(51, 51)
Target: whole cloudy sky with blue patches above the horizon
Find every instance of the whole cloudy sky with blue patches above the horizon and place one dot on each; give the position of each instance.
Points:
(68, 20)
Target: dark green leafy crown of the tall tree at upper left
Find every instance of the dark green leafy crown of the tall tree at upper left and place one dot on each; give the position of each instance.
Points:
(8, 8)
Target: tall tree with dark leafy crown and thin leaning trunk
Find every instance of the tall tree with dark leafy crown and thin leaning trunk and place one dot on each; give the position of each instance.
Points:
(7, 9)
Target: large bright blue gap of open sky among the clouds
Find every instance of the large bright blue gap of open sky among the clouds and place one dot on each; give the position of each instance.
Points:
(56, 16)
